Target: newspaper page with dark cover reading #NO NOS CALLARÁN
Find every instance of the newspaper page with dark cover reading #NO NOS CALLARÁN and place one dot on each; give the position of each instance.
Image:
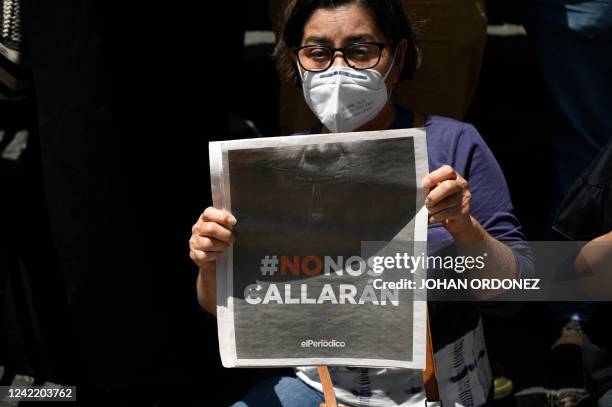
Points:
(297, 287)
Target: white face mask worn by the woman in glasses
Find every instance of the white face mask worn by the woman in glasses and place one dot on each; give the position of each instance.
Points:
(344, 98)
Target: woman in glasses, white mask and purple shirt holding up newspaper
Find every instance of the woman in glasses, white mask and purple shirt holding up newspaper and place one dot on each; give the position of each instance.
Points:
(348, 56)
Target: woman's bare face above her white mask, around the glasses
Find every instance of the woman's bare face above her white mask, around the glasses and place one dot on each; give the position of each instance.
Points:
(348, 24)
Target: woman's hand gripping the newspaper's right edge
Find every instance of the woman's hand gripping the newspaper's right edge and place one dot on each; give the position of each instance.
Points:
(448, 200)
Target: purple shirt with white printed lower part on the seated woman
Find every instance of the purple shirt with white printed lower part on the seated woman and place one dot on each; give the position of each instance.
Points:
(457, 334)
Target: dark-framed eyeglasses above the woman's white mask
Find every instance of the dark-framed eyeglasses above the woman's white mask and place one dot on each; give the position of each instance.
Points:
(362, 55)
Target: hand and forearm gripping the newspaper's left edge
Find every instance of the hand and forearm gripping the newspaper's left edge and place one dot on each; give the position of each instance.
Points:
(210, 237)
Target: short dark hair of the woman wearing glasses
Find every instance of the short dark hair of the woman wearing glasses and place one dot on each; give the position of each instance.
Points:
(389, 16)
